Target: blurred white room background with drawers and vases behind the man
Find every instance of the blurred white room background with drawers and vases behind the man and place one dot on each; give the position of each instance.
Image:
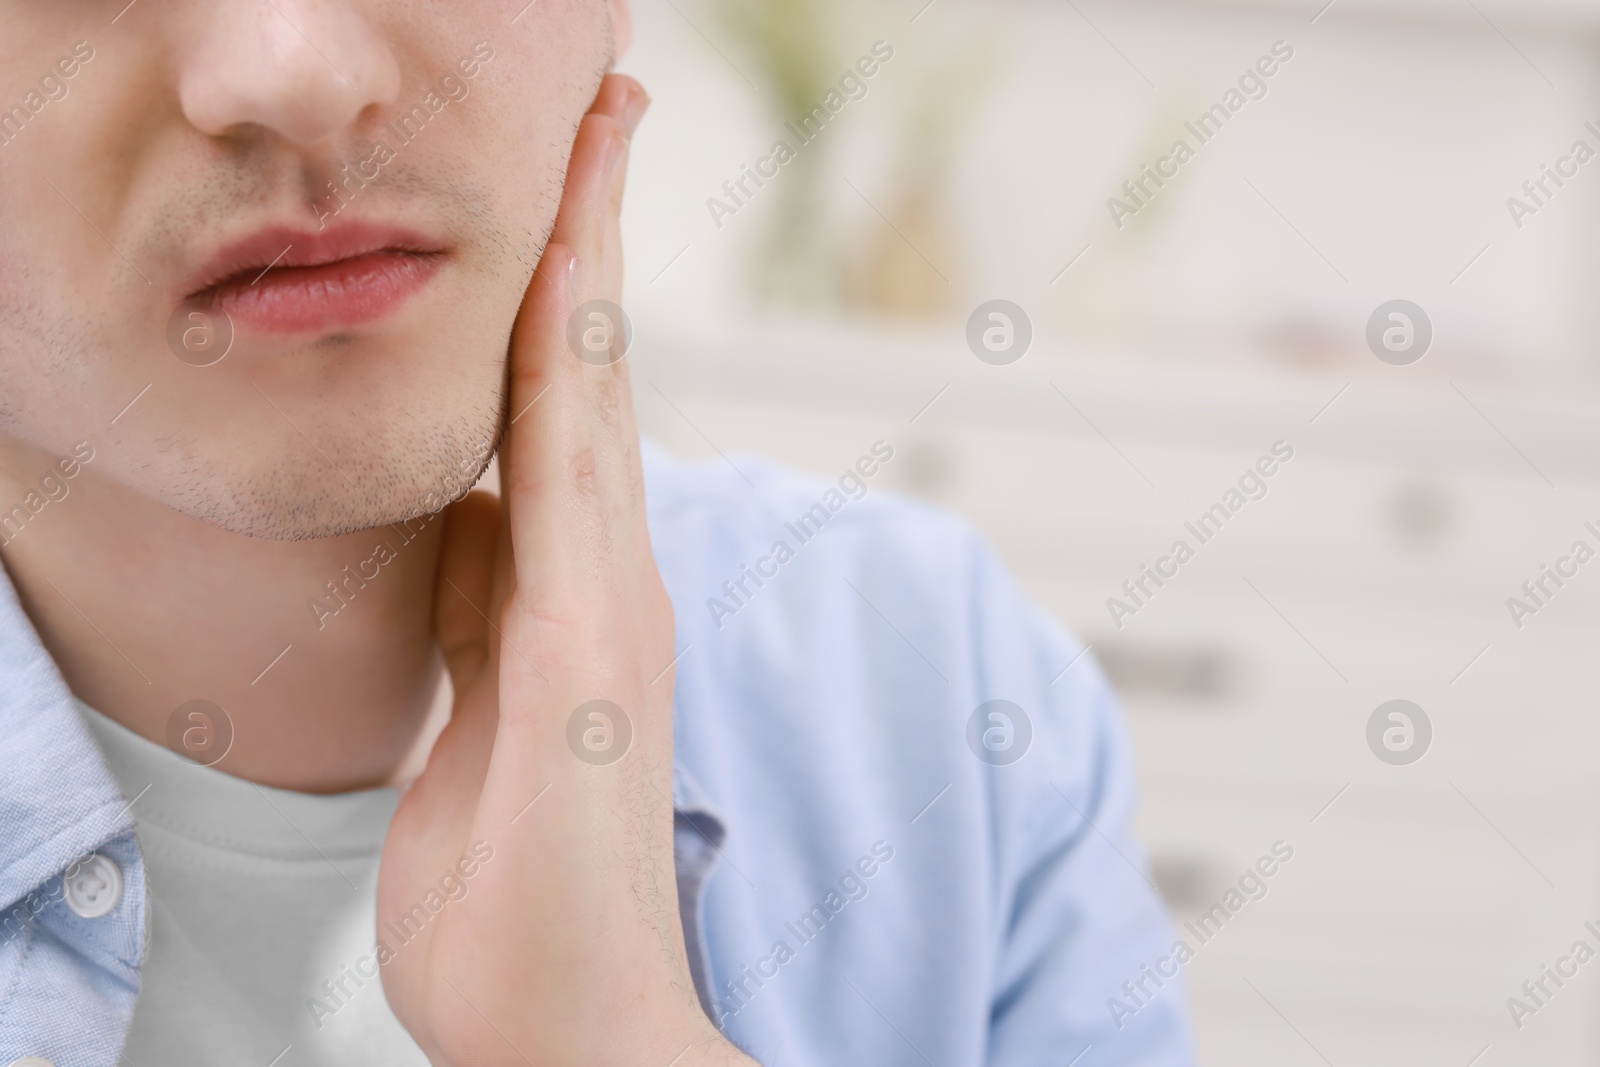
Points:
(828, 308)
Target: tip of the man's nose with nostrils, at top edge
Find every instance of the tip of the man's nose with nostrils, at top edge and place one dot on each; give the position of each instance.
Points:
(297, 70)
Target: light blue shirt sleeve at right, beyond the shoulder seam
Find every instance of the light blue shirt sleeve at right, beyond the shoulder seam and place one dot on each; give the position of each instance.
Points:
(1089, 967)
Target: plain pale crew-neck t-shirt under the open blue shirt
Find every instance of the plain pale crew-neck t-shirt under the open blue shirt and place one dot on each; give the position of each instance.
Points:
(262, 917)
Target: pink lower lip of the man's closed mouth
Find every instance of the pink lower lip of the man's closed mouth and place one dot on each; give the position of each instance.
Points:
(330, 297)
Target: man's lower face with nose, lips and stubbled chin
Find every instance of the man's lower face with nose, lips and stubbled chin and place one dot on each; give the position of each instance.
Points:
(266, 258)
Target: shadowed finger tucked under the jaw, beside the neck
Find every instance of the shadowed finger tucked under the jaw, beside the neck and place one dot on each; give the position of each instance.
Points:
(462, 601)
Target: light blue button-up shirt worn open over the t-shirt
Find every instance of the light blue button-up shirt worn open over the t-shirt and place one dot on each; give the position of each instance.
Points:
(903, 802)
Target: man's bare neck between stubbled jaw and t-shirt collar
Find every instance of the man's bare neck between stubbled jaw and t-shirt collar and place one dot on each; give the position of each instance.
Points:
(321, 652)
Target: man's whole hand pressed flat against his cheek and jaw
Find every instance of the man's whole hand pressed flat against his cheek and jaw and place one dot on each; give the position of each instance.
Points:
(570, 946)
